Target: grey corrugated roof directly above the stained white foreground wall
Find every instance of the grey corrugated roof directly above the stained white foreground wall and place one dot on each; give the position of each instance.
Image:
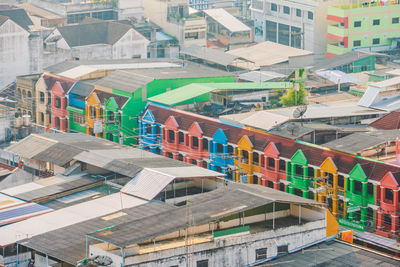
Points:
(204, 207)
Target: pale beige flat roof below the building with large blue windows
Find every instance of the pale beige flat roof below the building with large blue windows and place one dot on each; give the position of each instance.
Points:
(266, 54)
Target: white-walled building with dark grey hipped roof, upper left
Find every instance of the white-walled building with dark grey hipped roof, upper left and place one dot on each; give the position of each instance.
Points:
(93, 40)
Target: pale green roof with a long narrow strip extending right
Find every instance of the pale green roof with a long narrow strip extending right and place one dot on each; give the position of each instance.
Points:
(194, 90)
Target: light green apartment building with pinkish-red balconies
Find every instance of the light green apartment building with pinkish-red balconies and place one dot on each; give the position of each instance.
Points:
(366, 25)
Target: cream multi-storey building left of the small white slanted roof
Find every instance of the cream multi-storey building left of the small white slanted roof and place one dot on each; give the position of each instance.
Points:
(175, 19)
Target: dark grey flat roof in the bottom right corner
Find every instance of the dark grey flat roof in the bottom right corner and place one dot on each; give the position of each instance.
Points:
(333, 253)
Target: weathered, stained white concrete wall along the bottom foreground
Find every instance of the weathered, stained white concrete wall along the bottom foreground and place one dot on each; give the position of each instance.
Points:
(234, 251)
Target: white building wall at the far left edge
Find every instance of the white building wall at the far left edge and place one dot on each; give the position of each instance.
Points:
(14, 52)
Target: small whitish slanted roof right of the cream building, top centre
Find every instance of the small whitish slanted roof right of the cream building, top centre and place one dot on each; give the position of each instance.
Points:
(224, 18)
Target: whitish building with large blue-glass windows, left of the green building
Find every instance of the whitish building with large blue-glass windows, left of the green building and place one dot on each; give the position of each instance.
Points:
(300, 23)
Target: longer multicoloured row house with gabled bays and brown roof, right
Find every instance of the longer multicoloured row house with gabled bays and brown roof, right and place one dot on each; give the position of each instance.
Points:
(361, 193)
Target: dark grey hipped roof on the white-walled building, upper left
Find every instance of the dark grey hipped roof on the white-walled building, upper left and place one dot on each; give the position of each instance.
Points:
(93, 33)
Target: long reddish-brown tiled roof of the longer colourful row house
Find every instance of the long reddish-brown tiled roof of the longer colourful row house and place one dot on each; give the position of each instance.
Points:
(287, 148)
